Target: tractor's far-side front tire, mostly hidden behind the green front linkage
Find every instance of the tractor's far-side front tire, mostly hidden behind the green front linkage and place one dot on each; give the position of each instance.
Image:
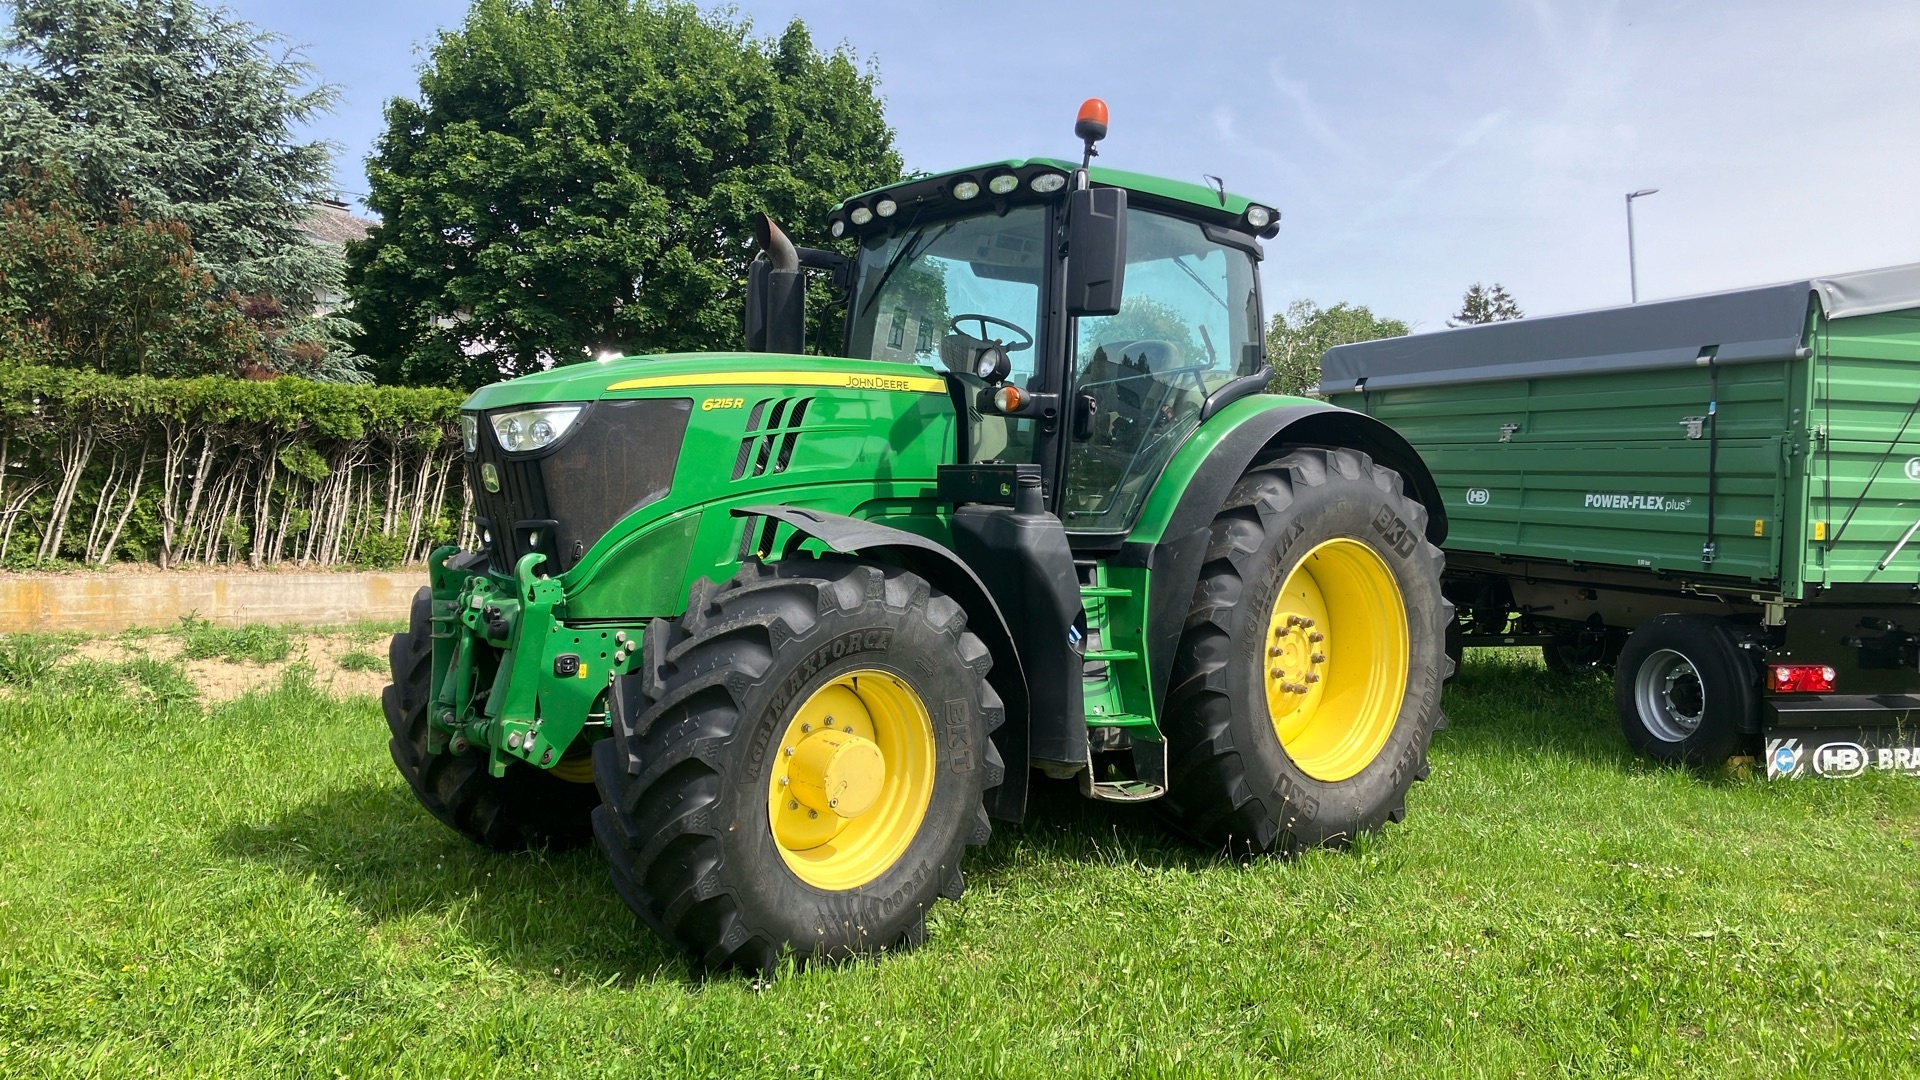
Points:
(527, 808)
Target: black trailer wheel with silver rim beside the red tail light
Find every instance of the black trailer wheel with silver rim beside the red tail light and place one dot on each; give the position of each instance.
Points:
(1685, 691)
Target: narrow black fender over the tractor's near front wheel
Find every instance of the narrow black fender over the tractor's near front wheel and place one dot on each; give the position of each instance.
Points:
(946, 572)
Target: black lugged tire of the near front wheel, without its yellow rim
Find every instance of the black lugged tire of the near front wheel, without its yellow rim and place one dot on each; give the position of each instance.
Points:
(684, 783)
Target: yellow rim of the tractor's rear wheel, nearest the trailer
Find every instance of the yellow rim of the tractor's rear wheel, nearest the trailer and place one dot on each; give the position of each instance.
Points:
(1337, 660)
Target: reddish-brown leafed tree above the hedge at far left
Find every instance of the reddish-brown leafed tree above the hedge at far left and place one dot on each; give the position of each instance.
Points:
(122, 297)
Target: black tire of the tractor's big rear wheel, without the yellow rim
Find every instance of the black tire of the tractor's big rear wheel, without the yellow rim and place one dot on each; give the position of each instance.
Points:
(1232, 783)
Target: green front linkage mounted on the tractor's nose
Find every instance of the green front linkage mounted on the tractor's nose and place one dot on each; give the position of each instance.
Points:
(508, 675)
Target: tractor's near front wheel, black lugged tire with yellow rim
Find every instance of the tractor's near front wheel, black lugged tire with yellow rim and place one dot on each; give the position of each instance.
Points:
(807, 766)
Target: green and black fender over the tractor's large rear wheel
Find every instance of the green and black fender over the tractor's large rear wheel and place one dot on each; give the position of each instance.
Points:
(1176, 528)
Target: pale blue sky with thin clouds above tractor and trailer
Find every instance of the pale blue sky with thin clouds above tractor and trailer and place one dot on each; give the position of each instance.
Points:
(1412, 149)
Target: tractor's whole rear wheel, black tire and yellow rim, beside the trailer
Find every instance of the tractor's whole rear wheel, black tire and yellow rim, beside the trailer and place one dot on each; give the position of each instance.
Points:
(1308, 681)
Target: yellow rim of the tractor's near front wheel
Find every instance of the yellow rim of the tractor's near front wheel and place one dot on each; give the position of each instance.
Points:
(852, 783)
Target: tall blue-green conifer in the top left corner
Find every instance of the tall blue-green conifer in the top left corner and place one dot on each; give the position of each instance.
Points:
(178, 114)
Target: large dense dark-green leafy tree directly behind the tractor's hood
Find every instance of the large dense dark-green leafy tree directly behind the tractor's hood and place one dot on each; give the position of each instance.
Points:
(579, 176)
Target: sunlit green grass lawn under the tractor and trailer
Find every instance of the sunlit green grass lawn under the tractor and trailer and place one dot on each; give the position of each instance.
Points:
(252, 893)
